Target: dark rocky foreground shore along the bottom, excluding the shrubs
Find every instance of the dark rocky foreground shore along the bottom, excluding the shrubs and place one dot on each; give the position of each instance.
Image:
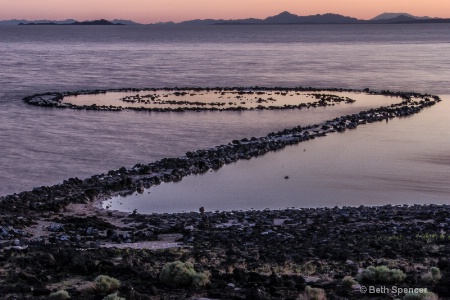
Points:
(271, 253)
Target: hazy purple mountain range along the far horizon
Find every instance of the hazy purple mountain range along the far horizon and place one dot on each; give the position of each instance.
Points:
(282, 18)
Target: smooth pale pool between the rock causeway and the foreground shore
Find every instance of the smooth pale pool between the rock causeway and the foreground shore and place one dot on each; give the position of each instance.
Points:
(403, 161)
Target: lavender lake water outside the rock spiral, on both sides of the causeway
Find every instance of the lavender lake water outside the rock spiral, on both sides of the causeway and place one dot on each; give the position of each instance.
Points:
(397, 162)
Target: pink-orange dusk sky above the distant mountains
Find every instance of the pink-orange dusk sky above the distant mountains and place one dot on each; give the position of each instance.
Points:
(151, 11)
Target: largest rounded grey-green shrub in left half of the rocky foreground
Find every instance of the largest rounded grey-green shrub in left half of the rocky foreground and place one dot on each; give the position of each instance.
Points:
(182, 274)
